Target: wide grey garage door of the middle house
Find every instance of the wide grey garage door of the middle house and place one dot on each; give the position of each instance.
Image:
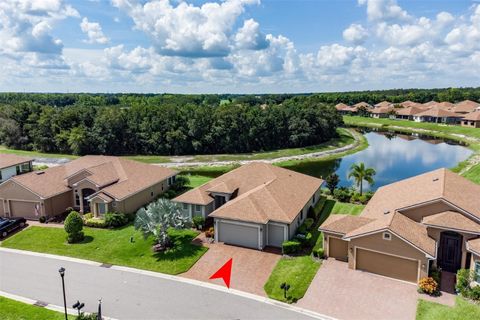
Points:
(240, 235)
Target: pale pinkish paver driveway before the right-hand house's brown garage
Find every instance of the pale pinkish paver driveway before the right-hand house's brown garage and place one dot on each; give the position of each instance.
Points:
(350, 294)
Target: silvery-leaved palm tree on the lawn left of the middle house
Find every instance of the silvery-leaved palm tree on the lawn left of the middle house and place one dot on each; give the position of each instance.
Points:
(157, 218)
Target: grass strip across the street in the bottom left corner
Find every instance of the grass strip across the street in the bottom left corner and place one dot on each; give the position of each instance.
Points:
(14, 310)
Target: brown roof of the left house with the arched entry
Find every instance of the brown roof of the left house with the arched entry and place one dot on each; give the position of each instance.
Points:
(128, 177)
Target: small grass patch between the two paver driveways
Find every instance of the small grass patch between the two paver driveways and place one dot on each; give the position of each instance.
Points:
(298, 272)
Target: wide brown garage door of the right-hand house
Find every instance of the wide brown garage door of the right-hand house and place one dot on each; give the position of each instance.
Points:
(387, 265)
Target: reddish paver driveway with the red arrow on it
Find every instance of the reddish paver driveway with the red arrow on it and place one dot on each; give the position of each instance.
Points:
(250, 269)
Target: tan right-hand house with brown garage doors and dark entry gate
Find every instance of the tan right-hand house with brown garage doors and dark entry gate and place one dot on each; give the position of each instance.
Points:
(411, 226)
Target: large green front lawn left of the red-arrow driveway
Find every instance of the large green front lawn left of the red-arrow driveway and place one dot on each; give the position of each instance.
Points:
(112, 247)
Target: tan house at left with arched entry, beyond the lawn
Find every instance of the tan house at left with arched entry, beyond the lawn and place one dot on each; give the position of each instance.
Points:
(96, 184)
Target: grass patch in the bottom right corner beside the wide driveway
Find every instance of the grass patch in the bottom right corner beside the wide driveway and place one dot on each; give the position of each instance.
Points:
(434, 311)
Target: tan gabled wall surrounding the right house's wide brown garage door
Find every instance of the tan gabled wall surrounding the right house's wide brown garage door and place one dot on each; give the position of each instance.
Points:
(394, 246)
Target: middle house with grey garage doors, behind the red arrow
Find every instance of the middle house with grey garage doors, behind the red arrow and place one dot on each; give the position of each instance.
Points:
(255, 205)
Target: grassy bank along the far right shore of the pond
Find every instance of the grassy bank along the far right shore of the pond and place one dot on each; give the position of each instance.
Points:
(470, 136)
